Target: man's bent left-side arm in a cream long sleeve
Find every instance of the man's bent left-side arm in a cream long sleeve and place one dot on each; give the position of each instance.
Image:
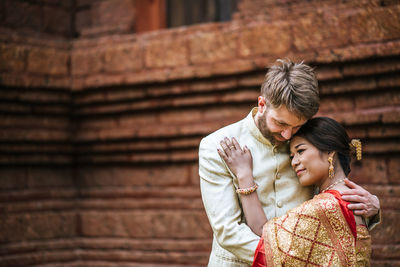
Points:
(222, 204)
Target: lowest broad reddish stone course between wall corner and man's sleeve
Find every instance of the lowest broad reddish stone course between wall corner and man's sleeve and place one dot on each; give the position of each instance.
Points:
(145, 224)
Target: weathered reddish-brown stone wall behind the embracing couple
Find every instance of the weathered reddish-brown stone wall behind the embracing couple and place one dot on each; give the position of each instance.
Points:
(103, 104)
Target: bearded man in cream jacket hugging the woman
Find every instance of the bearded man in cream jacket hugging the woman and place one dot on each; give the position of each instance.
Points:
(289, 97)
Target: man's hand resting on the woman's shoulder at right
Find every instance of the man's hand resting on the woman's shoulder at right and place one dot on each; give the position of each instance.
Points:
(363, 203)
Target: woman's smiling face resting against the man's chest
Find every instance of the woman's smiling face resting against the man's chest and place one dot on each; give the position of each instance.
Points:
(310, 165)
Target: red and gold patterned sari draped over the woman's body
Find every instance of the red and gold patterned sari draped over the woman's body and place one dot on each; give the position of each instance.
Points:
(320, 232)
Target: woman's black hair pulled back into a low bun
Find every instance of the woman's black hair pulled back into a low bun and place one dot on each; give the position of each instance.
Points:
(328, 135)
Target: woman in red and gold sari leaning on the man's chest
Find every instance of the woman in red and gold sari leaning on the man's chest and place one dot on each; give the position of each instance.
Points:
(321, 231)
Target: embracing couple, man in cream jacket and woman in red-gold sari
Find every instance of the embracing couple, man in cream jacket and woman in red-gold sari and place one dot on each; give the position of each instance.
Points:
(274, 185)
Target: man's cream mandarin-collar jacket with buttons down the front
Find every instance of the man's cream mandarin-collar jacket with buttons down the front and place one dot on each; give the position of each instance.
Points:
(279, 190)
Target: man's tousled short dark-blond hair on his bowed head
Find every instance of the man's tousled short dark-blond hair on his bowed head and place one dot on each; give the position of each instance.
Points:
(293, 85)
